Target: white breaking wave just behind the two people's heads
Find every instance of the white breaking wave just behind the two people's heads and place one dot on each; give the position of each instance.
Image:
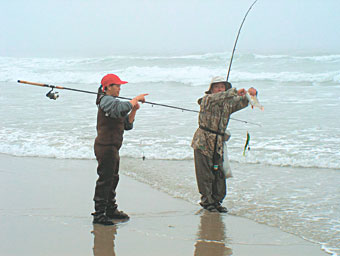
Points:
(191, 75)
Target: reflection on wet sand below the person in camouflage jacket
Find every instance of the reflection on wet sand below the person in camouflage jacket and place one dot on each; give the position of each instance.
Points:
(211, 236)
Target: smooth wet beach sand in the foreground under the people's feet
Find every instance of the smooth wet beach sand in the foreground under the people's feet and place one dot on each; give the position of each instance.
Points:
(46, 205)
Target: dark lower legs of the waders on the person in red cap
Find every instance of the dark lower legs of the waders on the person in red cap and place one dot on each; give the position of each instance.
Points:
(107, 170)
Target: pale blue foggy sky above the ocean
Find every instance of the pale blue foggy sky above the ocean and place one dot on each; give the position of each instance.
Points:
(45, 28)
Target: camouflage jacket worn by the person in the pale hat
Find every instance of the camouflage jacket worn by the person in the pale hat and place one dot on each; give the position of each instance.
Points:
(214, 115)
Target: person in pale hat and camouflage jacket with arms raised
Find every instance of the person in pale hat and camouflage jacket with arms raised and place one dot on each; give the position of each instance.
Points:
(220, 101)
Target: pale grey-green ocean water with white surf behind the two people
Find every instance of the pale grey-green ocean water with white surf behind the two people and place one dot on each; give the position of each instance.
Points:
(294, 156)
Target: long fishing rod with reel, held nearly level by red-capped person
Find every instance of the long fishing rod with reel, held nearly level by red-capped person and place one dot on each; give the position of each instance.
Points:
(54, 95)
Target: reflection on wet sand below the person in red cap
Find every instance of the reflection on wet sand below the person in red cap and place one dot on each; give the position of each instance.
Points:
(104, 237)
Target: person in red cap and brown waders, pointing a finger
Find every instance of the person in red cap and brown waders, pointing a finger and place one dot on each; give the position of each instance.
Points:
(114, 116)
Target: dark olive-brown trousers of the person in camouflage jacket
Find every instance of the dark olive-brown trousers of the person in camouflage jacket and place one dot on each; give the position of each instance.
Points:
(211, 184)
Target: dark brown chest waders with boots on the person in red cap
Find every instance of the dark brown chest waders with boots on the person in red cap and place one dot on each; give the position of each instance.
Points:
(109, 139)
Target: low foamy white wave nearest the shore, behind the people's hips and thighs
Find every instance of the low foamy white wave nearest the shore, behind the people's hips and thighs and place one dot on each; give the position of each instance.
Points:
(69, 148)
